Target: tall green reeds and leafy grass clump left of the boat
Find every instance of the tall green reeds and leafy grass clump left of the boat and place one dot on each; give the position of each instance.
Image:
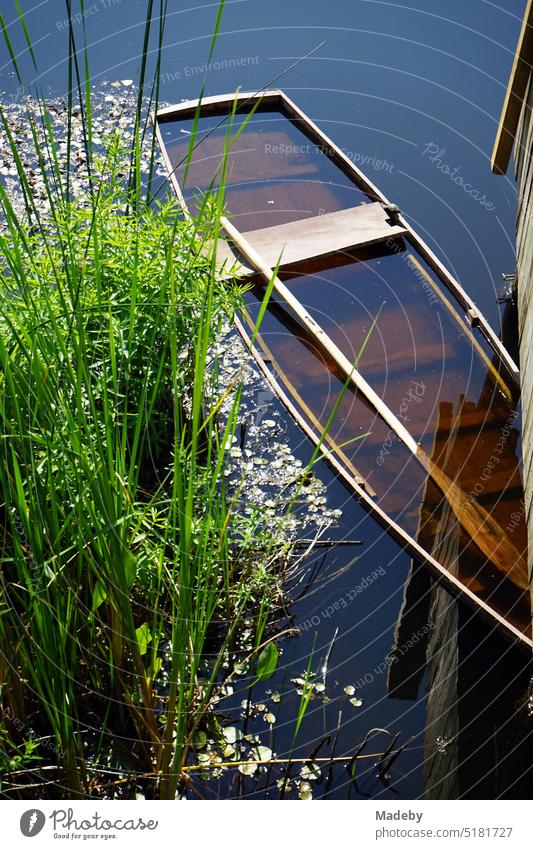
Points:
(123, 559)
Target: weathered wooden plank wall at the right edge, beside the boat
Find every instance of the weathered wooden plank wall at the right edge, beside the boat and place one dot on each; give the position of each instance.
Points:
(524, 247)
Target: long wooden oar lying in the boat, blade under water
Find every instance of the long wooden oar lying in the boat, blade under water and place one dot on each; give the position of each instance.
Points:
(477, 522)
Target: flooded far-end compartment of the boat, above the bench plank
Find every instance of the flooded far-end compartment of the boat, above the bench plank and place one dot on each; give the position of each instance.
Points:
(275, 174)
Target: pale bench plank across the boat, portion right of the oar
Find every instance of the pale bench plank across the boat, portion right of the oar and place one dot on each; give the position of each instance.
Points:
(323, 234)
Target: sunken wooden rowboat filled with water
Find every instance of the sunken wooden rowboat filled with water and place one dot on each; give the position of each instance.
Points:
(362, 310)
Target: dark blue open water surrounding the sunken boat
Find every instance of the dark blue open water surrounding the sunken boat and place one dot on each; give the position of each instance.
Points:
(410, 92)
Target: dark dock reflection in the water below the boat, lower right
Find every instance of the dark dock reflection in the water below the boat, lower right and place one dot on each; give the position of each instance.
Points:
(476, 695)
